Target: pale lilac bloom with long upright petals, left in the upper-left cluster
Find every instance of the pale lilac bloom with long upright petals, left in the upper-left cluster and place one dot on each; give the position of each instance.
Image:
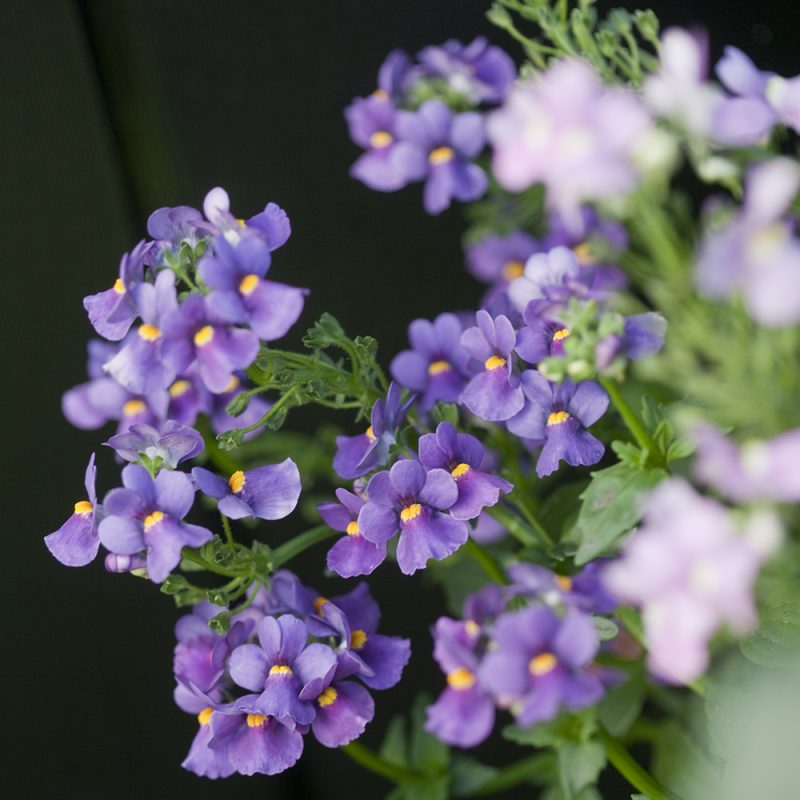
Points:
(139, 366)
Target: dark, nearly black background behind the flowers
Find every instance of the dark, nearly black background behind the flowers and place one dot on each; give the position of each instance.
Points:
(109, 109)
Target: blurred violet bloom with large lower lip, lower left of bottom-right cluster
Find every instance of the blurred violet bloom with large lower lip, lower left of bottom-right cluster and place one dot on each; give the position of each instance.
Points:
(463, 715)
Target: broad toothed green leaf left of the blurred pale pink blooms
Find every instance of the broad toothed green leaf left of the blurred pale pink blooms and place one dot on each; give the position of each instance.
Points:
(612, 506)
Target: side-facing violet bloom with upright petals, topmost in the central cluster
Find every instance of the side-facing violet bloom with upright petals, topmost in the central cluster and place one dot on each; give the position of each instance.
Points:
(357, 455)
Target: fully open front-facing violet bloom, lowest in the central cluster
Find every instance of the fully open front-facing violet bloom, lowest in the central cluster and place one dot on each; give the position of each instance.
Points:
(410, 500)
